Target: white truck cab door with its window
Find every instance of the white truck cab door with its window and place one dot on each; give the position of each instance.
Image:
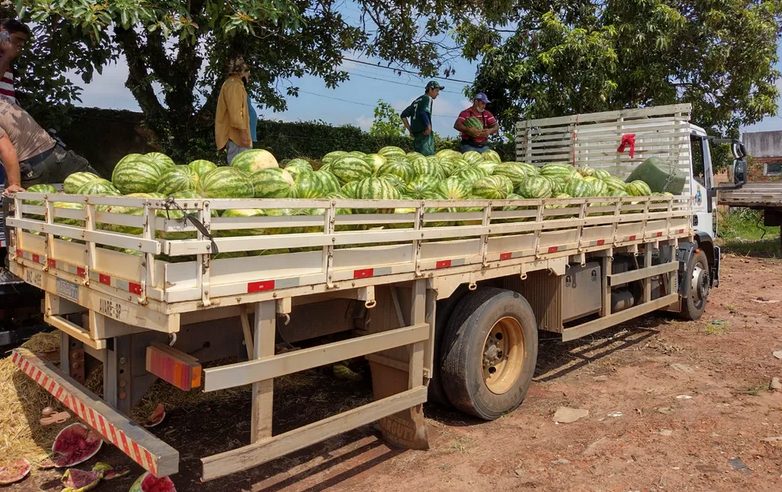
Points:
(701, 183)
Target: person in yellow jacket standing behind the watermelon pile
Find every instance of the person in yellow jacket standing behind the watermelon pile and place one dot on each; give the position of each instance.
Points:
(232, 118)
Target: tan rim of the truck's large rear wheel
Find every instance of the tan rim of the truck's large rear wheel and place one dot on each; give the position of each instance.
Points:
(503, 355)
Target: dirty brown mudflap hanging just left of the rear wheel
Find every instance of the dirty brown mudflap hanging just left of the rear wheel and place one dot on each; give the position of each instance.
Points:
(405, 429)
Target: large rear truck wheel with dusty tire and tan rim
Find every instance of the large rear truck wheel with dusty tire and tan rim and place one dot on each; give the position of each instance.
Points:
(489, 353)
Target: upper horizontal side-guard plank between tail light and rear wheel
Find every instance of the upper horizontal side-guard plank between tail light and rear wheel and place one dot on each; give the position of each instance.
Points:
(240, 373)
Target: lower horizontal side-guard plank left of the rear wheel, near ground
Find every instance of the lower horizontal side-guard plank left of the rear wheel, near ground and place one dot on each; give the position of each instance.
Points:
(260, 452)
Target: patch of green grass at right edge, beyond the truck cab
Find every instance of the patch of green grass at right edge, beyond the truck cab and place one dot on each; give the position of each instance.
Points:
(743, 233)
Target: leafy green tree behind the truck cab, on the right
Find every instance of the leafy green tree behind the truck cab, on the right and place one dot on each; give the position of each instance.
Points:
(571, 57)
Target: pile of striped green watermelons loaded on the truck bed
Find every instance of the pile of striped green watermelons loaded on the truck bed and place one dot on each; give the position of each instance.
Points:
(389, 174)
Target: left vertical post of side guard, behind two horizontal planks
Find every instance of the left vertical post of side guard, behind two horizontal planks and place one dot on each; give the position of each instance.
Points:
(263, 388)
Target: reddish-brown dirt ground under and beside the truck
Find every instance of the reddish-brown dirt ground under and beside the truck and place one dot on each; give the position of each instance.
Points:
(671, 406)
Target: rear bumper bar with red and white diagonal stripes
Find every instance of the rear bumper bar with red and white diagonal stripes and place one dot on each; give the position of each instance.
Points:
(151, 453)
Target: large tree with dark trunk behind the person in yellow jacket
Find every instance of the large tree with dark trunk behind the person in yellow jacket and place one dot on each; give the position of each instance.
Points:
(176, 50)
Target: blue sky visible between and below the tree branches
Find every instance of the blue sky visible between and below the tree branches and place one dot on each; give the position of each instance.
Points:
(351, 103)
